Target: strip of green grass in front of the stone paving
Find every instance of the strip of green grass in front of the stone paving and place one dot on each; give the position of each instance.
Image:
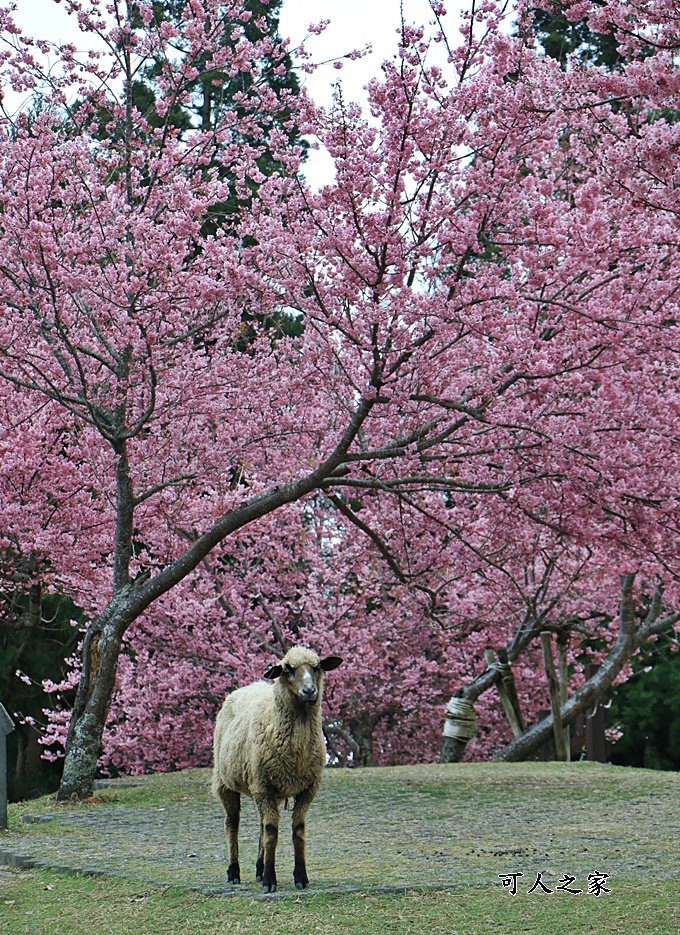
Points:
(47, 903)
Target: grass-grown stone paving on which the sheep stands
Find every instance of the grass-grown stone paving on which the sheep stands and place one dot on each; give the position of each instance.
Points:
(433, 826)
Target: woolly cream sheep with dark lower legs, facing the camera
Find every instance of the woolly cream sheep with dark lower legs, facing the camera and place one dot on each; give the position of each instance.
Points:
(269, 746)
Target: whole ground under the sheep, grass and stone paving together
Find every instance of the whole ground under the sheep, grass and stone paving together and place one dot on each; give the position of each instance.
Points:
(436, 837)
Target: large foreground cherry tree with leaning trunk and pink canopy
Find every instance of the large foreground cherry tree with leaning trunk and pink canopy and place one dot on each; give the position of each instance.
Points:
(486, 302)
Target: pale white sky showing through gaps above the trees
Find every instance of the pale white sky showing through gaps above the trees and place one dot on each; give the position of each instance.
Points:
(354, 24)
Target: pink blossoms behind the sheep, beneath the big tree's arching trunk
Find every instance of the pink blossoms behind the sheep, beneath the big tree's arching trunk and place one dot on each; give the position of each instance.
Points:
(412, 634)
